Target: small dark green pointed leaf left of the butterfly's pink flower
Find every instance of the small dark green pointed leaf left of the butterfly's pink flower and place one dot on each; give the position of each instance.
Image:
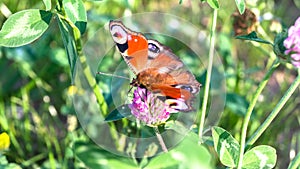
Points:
(118, 113)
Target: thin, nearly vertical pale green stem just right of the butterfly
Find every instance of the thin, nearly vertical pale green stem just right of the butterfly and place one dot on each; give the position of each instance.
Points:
(208, 74)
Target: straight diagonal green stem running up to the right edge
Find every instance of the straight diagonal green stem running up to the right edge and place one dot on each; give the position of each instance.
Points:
(275, 111)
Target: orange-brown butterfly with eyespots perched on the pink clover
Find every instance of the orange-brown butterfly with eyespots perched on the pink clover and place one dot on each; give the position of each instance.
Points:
(156, 67)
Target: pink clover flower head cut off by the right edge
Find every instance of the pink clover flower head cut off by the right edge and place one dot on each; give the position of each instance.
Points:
(292, 43)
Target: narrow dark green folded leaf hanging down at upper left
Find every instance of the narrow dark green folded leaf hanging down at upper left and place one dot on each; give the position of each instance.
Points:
(67, 36)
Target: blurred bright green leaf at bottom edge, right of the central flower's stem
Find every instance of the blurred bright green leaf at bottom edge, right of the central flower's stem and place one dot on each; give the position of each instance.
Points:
(188, 154)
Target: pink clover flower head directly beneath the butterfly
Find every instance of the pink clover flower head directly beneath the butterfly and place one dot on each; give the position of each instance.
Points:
(149, 109)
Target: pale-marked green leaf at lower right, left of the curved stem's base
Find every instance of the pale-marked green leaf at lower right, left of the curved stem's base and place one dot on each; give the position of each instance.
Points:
(226, 146)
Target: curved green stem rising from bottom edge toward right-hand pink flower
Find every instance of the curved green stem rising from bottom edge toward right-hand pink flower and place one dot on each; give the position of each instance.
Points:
(258, 91)
